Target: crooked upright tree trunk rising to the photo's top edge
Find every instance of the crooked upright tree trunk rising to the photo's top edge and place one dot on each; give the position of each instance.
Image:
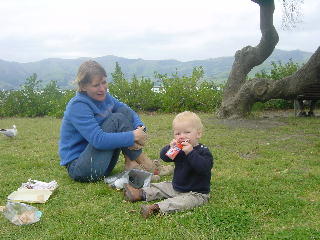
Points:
(235, 103)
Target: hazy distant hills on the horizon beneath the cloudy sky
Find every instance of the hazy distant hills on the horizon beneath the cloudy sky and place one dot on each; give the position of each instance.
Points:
(13, 74)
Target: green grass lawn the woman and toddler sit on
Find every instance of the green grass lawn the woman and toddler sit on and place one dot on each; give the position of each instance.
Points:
(265, 185)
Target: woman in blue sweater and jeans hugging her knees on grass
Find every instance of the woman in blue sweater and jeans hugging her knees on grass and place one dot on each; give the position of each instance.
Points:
(96, 127)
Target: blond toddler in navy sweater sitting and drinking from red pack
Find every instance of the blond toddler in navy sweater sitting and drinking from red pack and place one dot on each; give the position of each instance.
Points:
(190, 186)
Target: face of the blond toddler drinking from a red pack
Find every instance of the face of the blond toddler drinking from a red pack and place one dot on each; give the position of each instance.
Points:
(185, 131)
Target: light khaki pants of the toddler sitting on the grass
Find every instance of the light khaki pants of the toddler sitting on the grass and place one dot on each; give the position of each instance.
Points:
(174, 201)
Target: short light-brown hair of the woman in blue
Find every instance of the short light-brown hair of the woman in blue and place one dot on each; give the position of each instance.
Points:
(87, 71)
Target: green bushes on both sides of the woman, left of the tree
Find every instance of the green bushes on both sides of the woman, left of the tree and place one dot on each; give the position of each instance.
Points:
(176, 94)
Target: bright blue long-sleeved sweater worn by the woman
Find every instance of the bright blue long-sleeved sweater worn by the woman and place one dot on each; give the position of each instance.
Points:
(81, 125)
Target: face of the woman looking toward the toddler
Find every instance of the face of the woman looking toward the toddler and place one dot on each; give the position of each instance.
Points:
(97, 88)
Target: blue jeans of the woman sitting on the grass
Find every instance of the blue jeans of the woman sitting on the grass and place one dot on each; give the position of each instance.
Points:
(94, 164)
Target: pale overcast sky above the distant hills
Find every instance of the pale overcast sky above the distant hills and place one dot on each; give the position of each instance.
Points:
(32, 30)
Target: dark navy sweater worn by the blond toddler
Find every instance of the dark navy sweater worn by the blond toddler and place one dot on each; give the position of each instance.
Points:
(192, 172)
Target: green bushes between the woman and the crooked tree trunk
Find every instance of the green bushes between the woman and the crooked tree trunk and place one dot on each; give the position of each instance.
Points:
(176, 93)
